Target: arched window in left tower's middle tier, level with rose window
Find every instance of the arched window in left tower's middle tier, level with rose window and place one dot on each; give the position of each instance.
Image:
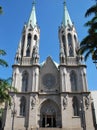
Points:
(24, 81)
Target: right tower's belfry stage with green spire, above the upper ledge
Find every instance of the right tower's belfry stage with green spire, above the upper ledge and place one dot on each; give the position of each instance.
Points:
(68, 39)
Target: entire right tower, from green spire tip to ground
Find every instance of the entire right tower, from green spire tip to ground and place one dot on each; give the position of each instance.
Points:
(73, 81)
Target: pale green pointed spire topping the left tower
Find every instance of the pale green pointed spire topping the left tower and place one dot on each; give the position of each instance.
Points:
(32, 20)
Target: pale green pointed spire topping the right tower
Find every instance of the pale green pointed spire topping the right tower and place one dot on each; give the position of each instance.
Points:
(66, 17)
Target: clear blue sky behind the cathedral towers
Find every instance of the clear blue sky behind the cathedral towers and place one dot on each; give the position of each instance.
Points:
(49, 17)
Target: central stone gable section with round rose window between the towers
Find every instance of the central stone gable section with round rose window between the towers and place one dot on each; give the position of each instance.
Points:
(49, 76)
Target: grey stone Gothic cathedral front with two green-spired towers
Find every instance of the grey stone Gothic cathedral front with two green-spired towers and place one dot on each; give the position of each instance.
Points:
(49, 95)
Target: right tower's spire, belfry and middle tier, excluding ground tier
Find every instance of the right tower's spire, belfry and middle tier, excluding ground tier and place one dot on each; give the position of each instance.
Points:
(71, 63)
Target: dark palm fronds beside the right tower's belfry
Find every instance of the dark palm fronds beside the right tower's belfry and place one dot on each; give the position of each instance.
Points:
(88, 45)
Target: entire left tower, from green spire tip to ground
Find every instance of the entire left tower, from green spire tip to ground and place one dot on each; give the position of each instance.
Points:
(25, 78)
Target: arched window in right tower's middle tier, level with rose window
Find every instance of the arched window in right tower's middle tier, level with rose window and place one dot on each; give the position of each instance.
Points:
(73, 80)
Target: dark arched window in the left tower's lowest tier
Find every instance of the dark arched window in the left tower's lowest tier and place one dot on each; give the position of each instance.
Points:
(22, 106)
